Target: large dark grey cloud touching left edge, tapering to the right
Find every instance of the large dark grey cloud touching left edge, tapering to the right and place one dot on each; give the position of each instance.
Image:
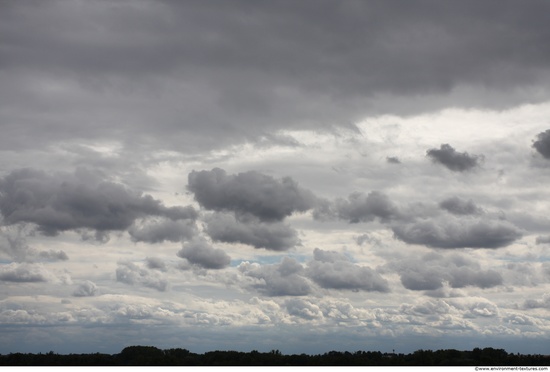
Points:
(60, 202)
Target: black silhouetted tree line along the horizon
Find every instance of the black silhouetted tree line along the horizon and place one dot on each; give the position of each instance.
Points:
(150, 355)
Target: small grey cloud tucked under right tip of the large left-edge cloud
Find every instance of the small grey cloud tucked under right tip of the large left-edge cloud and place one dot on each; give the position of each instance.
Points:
(157, 230)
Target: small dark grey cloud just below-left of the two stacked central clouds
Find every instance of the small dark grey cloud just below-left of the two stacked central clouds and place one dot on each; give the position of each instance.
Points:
(200, 252)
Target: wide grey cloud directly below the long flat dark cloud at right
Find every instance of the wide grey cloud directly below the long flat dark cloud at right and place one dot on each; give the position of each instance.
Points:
(431, 271)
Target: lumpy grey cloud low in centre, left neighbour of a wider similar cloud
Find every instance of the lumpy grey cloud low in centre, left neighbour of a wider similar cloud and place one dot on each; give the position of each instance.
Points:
(283, 279)
